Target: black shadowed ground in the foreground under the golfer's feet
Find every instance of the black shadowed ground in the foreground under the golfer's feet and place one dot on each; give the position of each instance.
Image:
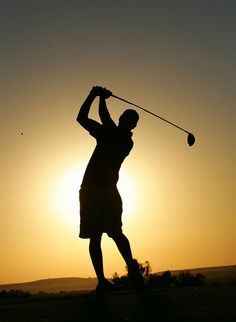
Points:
(208, 303)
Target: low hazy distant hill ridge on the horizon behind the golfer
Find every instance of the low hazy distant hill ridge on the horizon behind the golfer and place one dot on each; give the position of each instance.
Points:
(222, 274)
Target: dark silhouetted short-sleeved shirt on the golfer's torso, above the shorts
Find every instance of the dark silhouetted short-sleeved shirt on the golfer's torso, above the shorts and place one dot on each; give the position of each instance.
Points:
(113, 145)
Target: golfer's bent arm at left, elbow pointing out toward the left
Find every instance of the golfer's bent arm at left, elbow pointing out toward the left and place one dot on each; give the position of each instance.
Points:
(82, 117)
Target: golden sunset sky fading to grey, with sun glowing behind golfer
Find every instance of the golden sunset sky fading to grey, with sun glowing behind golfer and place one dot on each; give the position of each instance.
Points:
(176, 58)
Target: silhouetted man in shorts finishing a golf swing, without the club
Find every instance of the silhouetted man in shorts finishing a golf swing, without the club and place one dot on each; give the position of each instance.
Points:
(100, 201)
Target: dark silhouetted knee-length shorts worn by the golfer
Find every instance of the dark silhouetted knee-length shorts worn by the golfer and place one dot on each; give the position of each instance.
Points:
(100, 211)
